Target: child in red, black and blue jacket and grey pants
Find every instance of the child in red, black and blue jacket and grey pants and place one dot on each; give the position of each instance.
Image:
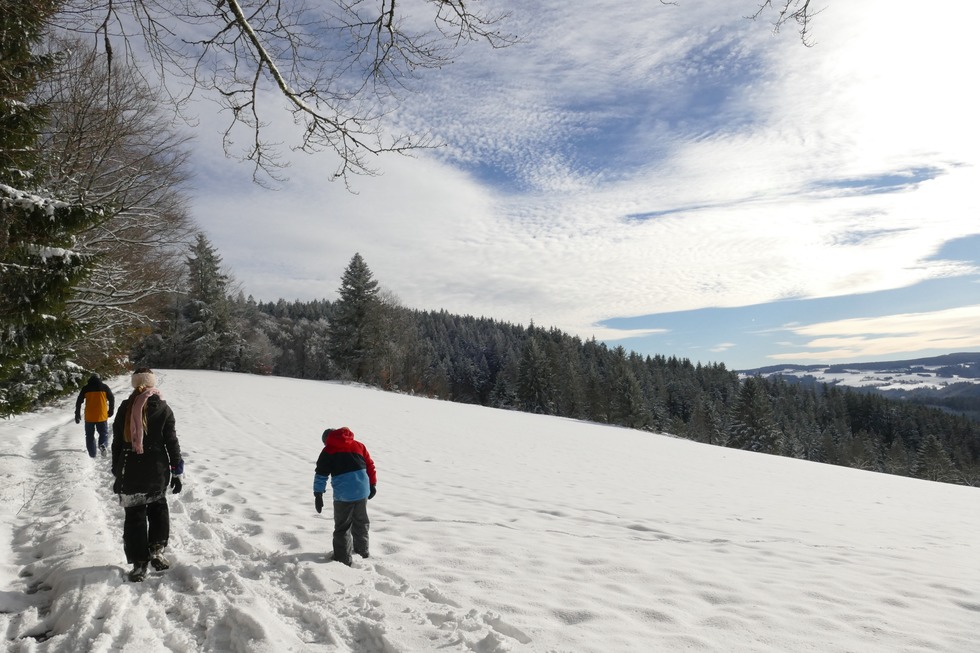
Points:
(353, 480)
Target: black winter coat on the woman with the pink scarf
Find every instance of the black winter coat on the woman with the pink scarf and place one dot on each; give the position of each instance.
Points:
(149, 472)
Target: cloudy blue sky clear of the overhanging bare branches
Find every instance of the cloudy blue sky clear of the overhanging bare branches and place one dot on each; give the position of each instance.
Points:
(673, 178)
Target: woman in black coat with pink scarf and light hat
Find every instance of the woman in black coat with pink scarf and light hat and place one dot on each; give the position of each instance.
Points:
(146, 461)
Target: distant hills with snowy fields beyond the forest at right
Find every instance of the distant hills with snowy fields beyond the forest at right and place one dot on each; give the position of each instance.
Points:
(950, 382)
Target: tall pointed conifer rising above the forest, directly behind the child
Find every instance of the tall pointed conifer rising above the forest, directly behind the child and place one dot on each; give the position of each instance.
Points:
(354, 326)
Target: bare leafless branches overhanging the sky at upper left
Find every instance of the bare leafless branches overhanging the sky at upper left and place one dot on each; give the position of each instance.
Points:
(339, 64)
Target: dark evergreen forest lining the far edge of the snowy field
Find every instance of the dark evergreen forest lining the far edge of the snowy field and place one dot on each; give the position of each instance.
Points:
(365, 336)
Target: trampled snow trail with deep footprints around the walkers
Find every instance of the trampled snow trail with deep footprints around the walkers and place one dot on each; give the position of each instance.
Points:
(228, 589)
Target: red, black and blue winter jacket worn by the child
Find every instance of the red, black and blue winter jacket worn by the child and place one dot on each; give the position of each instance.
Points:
(348, 465)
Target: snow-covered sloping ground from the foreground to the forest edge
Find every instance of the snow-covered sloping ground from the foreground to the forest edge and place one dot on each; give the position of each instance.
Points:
(492, 531)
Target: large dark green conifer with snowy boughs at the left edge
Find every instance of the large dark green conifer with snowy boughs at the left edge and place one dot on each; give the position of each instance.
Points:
(38, 267)
